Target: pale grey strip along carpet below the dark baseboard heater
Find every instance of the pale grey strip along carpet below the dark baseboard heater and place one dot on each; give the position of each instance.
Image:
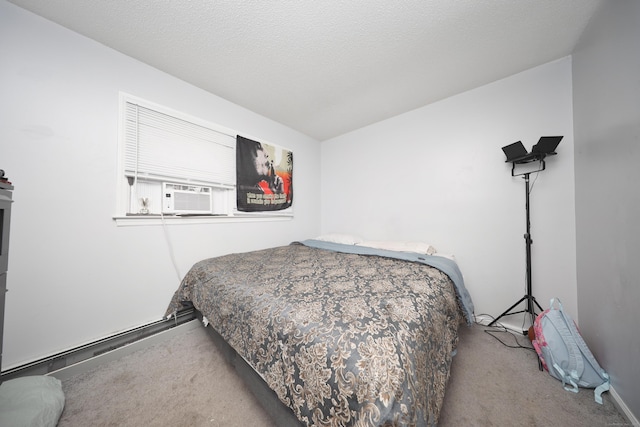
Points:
(85, 365)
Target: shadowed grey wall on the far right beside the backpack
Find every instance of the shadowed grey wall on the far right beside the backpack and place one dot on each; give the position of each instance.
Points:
(607, 129)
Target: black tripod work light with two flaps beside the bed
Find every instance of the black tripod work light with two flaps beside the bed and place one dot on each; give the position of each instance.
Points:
(517, 155)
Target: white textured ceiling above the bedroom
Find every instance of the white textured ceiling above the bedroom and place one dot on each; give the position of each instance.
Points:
(328, 67)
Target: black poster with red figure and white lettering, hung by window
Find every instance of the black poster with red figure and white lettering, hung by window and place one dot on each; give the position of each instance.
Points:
(264, 176)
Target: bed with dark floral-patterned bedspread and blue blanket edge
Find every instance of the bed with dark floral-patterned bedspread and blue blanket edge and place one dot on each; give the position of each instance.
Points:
(343, 334)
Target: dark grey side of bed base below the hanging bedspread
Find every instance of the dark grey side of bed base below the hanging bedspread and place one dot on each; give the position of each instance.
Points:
(281, 415)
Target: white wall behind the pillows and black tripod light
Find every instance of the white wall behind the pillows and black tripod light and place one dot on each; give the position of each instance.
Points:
(438, 174)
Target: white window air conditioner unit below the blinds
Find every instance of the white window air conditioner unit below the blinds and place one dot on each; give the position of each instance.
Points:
(186, 199)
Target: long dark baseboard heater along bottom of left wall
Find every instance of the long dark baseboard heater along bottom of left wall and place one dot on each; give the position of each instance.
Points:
(70, 357)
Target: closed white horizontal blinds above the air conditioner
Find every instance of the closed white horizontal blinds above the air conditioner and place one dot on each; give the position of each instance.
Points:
(160, 146)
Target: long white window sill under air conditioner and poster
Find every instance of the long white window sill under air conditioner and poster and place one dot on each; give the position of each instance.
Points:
(151, 219)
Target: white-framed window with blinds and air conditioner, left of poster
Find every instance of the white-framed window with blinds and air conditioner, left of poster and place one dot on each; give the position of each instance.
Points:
(173, 165)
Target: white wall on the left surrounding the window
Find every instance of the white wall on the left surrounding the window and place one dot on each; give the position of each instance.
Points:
(74, 276)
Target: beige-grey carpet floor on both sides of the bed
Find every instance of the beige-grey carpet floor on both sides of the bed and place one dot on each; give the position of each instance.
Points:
(185, 381)
